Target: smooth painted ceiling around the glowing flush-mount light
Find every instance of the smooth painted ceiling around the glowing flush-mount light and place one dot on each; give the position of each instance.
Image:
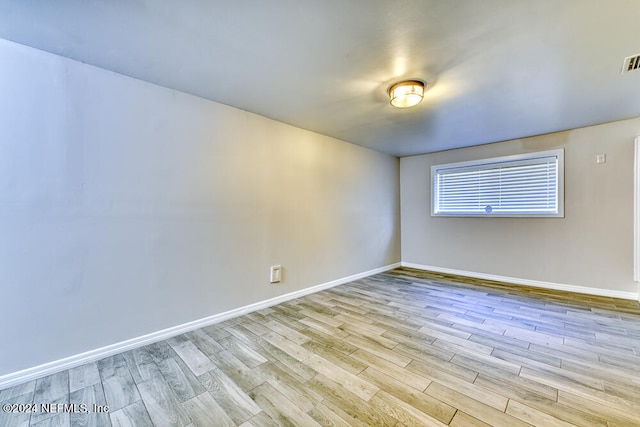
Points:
(495, 69)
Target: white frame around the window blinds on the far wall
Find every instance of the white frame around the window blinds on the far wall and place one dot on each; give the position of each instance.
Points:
(482, 163)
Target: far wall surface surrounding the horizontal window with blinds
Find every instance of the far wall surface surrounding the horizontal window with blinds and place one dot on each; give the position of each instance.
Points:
(591, 247)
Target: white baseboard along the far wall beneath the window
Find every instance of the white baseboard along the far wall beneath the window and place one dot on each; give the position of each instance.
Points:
(528, 282)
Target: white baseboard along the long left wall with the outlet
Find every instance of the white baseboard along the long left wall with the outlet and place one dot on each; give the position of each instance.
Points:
(53, 367)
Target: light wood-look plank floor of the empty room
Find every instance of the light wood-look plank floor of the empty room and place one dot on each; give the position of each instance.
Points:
(403, 348)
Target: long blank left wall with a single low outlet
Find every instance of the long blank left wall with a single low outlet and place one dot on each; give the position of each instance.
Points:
(127, 208)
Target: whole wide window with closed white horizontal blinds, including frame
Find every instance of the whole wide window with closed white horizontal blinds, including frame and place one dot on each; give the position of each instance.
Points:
(529, 185)
